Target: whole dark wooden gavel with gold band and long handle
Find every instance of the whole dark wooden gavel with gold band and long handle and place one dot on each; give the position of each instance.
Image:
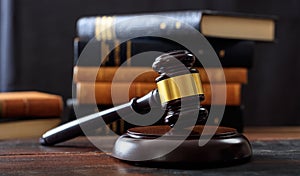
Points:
(179, 94)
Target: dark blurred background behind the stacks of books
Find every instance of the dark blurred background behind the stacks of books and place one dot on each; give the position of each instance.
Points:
(40, 55)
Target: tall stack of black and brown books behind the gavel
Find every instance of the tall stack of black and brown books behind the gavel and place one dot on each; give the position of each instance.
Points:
(232, 36)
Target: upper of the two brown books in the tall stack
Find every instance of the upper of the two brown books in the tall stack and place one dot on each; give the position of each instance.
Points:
(146, 74)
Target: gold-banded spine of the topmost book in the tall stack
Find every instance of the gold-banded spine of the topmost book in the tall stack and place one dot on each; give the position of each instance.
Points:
(128, 26)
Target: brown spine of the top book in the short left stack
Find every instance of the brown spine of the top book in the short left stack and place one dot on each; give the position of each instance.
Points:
(30, 108)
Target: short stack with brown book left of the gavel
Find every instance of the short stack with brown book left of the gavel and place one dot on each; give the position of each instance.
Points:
(28, 114)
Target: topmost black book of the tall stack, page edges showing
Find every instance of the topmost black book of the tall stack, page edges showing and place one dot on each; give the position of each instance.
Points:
(219, 24)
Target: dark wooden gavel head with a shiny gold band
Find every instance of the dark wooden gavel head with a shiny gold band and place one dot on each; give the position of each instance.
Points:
(179, 86)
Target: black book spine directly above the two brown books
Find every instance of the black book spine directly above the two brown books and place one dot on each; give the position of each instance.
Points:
(232, 53)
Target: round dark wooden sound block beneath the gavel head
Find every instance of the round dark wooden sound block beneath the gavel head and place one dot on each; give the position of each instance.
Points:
(226, 147)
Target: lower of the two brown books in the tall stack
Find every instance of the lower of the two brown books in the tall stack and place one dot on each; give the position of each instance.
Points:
(100, 92)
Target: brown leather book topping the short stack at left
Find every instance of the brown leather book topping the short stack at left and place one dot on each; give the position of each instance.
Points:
(30, 104)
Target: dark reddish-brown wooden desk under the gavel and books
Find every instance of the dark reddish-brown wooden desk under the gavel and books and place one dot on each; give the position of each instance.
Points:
(276, 152)
